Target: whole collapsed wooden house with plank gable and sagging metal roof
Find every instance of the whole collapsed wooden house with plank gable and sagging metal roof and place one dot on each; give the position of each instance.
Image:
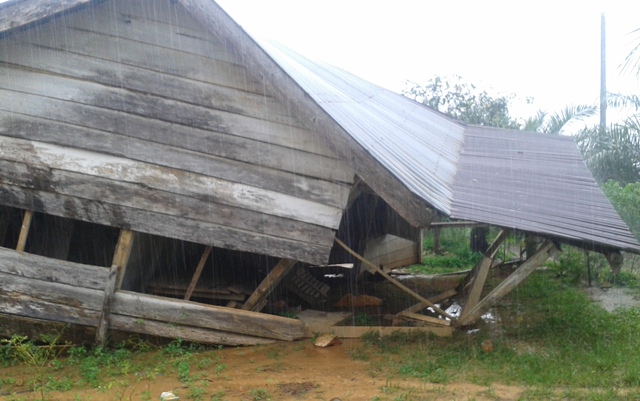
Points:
(153, 154)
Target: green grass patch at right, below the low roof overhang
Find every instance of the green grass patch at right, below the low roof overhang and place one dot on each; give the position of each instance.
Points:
(552, 336)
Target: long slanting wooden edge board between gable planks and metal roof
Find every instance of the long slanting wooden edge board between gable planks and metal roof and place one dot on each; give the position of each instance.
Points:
(411, 207)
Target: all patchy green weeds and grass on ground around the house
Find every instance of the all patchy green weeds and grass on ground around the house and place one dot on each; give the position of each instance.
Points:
(549, 339)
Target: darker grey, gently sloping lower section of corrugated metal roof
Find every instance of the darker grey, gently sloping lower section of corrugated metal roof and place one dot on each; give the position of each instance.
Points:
(534, 182)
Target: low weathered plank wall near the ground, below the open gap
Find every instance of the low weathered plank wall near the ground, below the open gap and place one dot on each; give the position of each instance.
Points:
(43, 288)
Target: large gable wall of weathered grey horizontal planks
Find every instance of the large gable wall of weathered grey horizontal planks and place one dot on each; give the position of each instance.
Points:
(129, 114)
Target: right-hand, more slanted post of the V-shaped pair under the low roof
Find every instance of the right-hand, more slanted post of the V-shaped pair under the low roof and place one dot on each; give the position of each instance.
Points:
(543, 253)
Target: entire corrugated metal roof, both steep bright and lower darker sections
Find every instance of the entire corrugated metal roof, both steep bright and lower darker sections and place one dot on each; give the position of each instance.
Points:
(526, 181)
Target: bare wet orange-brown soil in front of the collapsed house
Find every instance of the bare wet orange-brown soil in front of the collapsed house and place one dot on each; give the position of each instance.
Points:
(282, 371)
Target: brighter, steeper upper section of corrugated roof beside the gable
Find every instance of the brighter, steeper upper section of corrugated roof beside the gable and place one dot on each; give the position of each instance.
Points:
(389, 126)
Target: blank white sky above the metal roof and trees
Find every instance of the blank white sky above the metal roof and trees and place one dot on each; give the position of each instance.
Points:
(549, 50)
